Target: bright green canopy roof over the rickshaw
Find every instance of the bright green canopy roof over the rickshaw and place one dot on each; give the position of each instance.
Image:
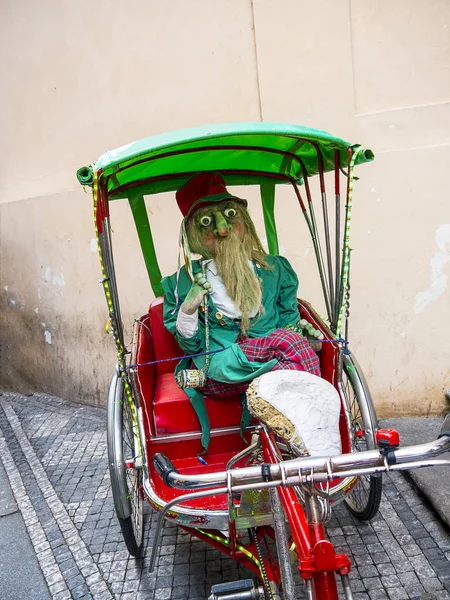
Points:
(245, 153)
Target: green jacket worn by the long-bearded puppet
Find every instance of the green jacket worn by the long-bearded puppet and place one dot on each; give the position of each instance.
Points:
(279, 298)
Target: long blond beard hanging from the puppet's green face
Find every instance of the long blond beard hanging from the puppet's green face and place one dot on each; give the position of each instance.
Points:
(241, 283)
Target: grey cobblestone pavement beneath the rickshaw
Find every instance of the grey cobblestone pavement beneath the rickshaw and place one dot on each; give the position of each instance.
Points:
(54, 453)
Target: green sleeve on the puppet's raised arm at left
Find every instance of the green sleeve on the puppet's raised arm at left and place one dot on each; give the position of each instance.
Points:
(171, 307)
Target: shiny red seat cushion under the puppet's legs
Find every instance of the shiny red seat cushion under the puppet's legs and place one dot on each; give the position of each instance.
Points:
(174, 413)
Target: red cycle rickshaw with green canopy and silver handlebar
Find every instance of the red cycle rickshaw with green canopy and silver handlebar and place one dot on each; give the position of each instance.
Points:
(262, 491)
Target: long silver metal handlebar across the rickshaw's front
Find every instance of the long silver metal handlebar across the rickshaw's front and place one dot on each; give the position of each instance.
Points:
(313, 469)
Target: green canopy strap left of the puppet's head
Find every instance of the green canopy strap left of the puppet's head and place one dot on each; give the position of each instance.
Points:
(140, 215)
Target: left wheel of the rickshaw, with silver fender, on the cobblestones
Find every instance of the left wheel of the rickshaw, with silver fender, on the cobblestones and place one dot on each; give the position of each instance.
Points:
(126, 477)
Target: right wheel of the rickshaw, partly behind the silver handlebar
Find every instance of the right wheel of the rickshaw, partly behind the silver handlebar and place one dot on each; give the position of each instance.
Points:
(364, 499)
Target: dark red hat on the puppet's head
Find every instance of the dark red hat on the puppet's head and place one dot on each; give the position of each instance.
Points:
(203, 188)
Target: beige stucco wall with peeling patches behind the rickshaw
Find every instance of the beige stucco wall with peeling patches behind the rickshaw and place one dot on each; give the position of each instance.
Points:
(81, 78)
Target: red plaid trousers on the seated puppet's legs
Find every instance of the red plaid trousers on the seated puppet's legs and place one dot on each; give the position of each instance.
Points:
(292, 351)
